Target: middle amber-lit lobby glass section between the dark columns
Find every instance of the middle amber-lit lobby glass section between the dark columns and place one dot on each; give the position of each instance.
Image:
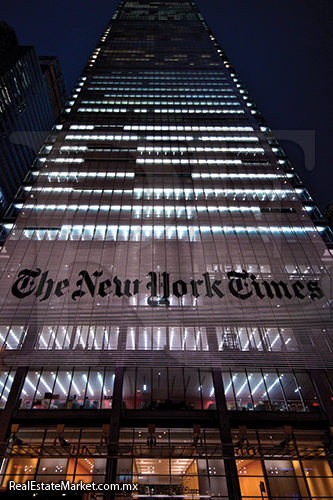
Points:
(176, 471)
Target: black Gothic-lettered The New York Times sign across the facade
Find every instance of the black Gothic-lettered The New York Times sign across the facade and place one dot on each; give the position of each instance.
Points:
(241, 285)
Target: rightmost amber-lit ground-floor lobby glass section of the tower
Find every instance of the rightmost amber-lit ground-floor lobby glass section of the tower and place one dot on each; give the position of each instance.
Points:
(282, 477)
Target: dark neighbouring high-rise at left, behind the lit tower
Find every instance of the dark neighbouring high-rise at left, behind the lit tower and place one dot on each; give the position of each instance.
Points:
(30, 101)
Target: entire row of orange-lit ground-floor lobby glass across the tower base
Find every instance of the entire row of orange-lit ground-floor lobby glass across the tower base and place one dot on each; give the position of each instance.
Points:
(175, 465)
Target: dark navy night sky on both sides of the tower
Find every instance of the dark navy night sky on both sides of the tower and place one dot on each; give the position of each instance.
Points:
(281, 49)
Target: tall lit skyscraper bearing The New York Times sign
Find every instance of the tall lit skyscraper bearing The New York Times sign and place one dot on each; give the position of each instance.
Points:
(166, 287)
